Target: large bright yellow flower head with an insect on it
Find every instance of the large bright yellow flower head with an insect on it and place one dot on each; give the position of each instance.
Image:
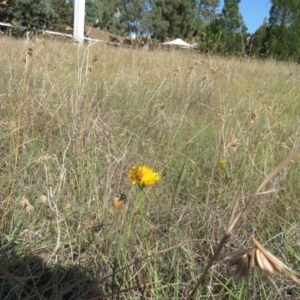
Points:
(143, 176)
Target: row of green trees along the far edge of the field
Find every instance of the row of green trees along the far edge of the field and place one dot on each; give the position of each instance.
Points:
(219, 32)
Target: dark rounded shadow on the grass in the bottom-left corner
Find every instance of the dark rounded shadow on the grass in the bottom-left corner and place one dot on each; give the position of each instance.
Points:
(29, 277)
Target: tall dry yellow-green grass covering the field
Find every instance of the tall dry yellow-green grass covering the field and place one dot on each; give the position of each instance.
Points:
(75, 120)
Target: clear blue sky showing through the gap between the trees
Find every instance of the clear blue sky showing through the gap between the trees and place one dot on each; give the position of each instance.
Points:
(253, 12)
